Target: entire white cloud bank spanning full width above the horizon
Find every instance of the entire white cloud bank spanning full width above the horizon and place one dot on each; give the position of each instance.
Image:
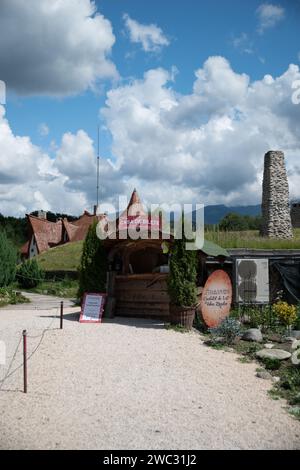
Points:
(207, 146)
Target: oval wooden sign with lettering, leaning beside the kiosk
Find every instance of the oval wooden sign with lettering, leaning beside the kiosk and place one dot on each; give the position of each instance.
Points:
(216, 298)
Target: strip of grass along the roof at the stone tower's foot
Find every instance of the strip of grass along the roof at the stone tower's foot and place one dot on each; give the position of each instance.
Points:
(251, 239)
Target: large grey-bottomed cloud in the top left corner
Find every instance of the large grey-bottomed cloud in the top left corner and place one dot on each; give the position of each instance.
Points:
(56, 47)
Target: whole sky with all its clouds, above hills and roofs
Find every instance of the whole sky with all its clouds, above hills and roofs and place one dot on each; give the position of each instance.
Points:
(188, 95)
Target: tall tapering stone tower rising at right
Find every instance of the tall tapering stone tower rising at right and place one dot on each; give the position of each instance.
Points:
(275, 199)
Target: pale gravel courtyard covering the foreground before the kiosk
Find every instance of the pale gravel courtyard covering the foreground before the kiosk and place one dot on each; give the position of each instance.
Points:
(131, 384)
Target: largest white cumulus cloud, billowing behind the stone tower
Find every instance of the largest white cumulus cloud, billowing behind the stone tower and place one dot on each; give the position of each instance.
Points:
(207, 146)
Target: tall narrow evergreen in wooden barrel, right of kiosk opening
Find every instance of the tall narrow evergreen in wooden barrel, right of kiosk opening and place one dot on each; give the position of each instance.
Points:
(182, 284)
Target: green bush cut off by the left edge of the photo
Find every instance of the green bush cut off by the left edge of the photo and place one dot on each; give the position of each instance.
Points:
(8, 258)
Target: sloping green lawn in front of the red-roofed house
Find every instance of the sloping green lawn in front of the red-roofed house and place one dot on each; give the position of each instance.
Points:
(61, 258)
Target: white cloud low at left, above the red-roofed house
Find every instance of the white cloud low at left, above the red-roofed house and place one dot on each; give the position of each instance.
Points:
(30, 179)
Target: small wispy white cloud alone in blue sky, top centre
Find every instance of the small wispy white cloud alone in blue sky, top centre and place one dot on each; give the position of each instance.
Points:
(151, 37)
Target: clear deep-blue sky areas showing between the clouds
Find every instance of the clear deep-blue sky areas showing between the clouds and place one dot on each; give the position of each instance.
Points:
(197, 29)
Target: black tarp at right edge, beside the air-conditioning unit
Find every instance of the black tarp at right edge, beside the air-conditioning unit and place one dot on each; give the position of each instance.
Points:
(290, 274)
